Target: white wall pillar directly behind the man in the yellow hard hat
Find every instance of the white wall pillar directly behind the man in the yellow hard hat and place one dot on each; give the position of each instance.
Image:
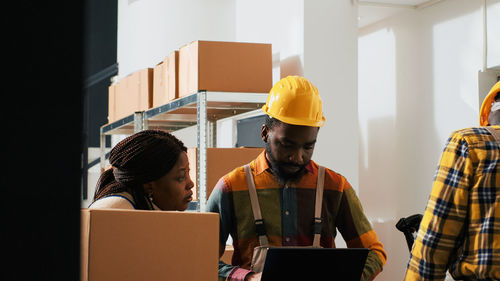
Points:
(330, 63)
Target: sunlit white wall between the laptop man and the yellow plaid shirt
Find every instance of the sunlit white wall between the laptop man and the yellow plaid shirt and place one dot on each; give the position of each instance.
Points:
(417, 83)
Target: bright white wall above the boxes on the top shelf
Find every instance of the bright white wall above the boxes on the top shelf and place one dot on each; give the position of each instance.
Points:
(148, 30)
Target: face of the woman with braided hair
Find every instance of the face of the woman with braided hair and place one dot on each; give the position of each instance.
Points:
(172, 192)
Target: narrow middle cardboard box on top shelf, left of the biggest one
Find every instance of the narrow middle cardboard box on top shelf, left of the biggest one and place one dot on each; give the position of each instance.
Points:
(165, 80)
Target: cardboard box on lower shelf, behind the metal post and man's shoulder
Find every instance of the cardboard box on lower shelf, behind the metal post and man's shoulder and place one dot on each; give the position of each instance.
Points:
(220, 161)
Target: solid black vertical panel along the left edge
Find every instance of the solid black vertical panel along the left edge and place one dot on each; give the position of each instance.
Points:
(42, 99)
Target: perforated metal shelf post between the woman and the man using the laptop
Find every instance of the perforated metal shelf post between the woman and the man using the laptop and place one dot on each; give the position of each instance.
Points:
(202, 140)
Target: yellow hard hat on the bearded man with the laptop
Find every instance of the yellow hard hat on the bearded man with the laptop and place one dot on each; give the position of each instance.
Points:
(294, 100)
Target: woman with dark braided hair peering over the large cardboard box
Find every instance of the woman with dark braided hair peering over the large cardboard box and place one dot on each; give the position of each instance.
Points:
(149, 171)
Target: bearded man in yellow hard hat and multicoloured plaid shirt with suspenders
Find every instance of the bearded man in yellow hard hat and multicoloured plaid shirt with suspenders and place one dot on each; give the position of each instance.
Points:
(283, 198)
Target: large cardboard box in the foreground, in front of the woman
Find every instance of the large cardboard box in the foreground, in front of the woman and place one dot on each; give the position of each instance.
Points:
(131, 245)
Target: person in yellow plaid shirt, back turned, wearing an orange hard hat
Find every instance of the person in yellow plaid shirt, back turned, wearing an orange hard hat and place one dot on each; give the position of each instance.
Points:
(460, 229)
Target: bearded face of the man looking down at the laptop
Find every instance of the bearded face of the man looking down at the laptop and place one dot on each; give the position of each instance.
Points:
(289, 149)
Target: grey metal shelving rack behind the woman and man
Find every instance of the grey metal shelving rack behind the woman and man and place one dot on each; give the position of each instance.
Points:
(202, 109)
